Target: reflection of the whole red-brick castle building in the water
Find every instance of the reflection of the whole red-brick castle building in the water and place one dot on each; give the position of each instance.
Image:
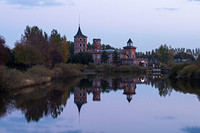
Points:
(128, 85)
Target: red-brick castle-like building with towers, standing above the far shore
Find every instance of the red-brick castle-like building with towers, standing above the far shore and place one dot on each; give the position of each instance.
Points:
(127, 55)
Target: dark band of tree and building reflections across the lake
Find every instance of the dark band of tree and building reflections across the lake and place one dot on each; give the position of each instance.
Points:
(51, 99)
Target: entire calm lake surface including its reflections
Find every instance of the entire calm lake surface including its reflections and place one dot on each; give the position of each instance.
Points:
(103, 104)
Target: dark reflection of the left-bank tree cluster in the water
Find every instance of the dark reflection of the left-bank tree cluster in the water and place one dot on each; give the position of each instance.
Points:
(44, 101)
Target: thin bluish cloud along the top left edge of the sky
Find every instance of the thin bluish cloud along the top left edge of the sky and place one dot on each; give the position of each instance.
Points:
(34, 3)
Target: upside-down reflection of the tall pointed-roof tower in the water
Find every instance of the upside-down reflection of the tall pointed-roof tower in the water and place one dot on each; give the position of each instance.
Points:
(80, 97)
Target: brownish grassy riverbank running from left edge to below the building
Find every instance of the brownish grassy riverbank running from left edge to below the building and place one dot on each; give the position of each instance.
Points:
(15, 79)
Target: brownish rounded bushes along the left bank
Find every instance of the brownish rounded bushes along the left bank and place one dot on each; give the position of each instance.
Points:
(15, 79)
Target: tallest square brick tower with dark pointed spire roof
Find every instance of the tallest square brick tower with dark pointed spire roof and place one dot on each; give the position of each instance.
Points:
(80, 42)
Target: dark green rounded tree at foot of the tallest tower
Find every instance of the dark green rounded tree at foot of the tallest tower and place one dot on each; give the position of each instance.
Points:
(83, 58)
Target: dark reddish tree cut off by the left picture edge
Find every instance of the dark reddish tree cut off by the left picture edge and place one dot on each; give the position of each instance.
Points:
(5, 53)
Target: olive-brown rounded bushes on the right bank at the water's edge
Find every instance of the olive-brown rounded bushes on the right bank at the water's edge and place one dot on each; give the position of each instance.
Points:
(186, 71)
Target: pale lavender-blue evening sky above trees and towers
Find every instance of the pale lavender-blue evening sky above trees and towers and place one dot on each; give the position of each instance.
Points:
(149, 23)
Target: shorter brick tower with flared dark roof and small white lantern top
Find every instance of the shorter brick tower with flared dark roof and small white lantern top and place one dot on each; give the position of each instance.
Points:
(130, 49)
